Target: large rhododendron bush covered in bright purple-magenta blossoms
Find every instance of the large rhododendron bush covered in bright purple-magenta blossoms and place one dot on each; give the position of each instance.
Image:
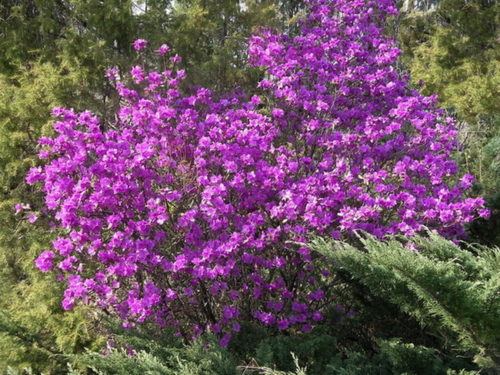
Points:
(187, 210)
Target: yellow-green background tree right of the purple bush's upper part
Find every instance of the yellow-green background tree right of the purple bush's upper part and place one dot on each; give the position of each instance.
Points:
(452, 49)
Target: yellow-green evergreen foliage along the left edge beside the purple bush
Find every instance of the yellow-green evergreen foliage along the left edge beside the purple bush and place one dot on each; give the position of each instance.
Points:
(33, 327)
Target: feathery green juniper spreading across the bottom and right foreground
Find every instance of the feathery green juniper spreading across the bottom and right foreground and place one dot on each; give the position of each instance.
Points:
(431, 311)
